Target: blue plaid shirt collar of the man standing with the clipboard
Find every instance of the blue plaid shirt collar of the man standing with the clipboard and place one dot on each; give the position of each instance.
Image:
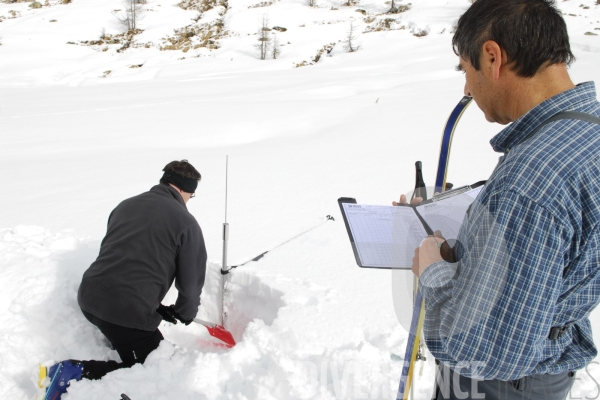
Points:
(568, 100)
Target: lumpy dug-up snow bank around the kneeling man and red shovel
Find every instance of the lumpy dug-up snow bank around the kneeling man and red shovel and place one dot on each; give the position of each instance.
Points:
(274, 359)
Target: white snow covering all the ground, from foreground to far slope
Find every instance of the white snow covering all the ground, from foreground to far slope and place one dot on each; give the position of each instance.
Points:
(74, 141)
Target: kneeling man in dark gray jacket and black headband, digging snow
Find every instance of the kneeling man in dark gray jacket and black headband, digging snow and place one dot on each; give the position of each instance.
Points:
(151, 241)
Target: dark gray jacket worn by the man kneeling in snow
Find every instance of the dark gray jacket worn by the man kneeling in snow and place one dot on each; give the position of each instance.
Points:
(151, 241)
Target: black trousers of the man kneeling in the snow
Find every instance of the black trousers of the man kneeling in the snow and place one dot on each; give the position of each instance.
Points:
(133, 346)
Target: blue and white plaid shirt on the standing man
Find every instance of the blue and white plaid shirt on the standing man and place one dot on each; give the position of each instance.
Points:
(529, 253)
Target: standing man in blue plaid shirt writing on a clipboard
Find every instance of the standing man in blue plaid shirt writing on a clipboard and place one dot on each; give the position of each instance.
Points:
(507, 316)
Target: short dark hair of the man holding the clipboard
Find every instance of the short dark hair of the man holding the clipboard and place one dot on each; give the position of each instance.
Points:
(532, 32)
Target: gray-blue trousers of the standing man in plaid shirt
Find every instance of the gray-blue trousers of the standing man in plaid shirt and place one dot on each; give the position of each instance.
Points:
(452, 386)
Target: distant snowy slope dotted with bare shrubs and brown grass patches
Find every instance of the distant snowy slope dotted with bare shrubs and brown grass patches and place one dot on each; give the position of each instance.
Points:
(45, 44)
